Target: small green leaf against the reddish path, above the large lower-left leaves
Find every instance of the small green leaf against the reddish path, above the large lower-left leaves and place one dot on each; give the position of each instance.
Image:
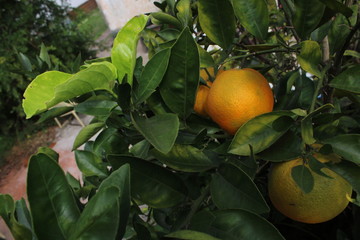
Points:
(90, 164)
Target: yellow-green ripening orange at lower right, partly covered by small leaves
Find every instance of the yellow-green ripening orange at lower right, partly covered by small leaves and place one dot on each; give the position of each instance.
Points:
(328, 198)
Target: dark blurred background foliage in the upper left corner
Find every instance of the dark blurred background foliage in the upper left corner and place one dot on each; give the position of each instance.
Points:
(25, 26)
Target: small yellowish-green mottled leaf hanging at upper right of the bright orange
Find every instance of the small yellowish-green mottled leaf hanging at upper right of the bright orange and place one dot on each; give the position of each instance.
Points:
(310, 57)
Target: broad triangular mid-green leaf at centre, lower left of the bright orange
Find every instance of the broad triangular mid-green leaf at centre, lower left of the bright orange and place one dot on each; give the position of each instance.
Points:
(160, 130)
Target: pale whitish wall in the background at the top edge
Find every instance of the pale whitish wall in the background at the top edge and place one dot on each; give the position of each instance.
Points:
(118, 12)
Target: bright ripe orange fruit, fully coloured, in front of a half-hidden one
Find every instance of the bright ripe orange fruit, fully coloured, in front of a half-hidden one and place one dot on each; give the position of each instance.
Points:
(236, 96)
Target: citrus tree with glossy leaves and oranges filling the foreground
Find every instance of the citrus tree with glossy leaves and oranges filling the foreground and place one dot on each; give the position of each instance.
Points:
(243, 124)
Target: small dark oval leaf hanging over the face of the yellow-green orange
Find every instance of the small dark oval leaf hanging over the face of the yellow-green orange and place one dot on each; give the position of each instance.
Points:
(303, 178)
